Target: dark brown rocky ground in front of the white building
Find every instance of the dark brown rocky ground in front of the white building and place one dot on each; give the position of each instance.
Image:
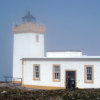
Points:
(18, 93)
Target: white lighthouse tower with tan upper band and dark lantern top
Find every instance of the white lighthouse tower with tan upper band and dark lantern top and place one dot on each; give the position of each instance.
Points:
(28, 42)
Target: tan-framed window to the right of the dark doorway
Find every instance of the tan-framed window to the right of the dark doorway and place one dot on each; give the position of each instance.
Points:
(88, 73)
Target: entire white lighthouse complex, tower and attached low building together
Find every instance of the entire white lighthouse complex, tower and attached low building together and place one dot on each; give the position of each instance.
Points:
(58, 70)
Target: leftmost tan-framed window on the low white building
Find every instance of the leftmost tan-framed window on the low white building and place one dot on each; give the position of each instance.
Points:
(36, 72)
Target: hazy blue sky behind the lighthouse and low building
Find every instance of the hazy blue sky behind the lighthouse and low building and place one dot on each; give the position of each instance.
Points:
(70, 25)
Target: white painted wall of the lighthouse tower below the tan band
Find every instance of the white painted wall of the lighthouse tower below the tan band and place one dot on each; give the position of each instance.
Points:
(25, 46)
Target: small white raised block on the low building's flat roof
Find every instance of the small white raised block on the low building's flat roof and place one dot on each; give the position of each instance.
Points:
(63, 54)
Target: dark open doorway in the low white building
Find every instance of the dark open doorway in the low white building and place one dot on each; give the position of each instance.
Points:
(70, 79)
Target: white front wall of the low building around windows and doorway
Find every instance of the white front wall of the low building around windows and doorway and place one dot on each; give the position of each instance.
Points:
(46, 72)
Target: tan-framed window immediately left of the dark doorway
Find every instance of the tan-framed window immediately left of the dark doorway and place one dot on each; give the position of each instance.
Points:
(56, 72)
